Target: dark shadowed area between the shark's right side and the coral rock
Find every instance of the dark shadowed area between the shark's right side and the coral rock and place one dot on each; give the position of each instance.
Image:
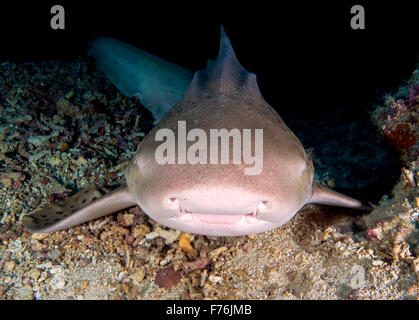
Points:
(351, 154)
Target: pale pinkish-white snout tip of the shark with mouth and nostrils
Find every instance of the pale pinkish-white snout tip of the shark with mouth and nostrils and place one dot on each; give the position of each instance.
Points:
(213, 210)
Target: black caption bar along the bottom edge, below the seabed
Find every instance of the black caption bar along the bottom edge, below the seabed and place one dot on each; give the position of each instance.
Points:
(267, 309)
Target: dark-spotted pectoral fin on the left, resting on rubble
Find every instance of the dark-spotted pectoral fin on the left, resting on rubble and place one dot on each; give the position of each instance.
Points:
(83, 206)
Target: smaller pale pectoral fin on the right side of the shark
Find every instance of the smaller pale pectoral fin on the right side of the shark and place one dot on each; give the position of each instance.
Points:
(323, 195)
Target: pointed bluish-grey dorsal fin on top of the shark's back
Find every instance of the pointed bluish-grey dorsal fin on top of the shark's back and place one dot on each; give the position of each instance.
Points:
(225, 75)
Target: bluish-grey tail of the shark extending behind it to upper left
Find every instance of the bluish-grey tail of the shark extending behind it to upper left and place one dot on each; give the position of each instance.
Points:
(158, 83)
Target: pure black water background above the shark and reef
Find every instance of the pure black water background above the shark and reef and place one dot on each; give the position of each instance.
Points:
(306, 57)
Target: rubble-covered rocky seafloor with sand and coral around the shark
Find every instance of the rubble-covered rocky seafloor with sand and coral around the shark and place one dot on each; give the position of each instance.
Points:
(64, 127)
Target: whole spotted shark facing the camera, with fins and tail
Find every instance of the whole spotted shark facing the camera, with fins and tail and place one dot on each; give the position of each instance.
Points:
(200, 198)
